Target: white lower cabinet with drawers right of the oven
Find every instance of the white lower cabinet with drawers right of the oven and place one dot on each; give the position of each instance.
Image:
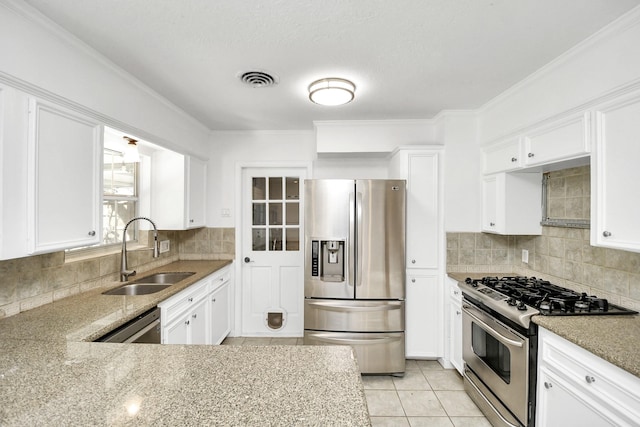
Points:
(577, 388)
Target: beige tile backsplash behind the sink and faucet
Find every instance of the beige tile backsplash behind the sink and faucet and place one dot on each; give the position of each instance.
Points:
(30, 282)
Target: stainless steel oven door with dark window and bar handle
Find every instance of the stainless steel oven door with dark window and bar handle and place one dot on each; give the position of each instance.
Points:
(499, 357)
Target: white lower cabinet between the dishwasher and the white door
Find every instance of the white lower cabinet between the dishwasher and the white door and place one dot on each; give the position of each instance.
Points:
(199, 314)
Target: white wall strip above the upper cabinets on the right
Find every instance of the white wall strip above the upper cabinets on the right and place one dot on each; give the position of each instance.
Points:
(607, 61)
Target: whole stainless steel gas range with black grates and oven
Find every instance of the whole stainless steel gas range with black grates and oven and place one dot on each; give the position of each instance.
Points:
(500, 340)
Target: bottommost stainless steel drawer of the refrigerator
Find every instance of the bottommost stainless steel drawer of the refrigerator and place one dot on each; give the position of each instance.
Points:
(376, 353)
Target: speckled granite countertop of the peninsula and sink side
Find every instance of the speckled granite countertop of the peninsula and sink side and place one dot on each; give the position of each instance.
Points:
(51, 375)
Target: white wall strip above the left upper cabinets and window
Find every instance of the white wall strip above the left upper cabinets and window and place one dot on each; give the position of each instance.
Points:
(38, 56)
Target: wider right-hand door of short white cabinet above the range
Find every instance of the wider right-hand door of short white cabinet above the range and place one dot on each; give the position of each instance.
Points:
(564, 139)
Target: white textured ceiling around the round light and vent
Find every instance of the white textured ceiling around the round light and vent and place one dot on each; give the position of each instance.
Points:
(410, 59)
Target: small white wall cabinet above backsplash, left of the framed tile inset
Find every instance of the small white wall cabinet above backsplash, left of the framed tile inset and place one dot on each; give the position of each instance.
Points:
(511, 203)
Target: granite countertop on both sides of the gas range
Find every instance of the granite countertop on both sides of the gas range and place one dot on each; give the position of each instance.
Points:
(614, 338)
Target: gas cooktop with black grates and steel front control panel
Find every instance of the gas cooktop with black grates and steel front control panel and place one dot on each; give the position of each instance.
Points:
(520, 297)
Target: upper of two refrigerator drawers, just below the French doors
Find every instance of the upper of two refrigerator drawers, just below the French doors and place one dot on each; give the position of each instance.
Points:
(354, 316)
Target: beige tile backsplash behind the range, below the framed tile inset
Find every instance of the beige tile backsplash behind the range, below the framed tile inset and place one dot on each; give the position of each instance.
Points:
(563, 256)
